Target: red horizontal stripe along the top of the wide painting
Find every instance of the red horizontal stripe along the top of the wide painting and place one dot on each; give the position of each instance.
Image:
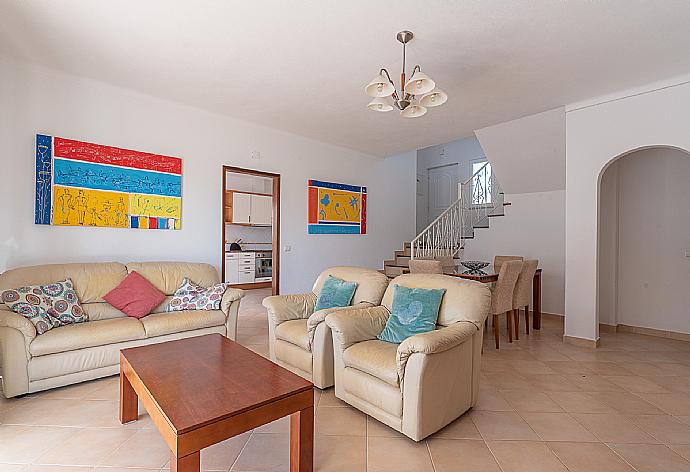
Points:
(89, 152)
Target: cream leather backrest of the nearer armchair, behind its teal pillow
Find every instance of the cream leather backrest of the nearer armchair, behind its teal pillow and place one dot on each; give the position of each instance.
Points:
(464, 300)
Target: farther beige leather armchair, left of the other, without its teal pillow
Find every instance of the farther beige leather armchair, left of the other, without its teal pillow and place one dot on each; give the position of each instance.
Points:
(299, 340)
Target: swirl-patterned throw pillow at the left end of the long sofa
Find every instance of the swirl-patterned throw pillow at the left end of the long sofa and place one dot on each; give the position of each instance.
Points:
(46, 306)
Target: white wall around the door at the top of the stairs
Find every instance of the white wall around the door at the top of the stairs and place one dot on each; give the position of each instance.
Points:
(461, 152)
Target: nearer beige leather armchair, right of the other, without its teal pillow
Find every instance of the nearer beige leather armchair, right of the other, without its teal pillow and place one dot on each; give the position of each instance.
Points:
(422, 384)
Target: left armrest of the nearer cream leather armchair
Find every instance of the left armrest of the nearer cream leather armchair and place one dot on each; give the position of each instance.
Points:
(354, 325)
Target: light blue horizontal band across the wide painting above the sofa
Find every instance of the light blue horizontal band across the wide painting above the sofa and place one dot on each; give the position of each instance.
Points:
(121, 179)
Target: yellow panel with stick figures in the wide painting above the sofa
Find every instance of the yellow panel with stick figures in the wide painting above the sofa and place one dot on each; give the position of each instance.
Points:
(86, 207)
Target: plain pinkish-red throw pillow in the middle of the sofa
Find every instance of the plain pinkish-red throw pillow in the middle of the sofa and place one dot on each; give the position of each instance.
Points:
(135, 296)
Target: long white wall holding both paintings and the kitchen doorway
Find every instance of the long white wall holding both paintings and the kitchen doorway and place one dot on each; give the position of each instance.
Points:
(34, 99)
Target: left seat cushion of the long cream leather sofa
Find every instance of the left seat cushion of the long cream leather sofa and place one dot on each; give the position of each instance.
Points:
(89, 334)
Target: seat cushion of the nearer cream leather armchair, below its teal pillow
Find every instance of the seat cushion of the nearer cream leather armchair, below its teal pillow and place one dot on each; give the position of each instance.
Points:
(376, 358)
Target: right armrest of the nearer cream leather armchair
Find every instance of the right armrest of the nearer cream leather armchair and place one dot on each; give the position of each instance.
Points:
(433, 342)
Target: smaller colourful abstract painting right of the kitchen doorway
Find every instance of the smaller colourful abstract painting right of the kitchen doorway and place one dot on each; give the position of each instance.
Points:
(337, 208)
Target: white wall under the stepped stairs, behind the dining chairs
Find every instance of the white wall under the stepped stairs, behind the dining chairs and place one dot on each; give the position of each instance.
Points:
(533, 227)
